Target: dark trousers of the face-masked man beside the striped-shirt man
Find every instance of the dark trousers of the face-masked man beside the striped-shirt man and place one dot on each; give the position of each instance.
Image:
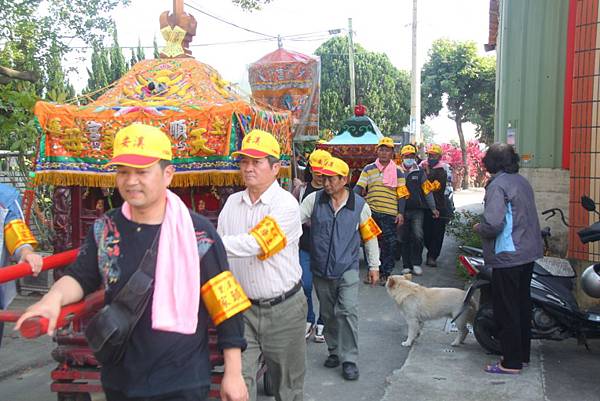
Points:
(412, 238)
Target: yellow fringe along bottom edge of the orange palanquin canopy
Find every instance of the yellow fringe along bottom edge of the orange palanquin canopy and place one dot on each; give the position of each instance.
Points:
(217, 178)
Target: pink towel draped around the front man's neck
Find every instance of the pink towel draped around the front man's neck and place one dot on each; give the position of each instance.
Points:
(177, 278)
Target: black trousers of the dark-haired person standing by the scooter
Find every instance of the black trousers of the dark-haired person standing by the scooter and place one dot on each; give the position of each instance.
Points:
(511, 299)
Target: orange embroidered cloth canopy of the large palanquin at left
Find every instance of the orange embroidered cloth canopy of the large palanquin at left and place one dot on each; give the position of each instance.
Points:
(187, 99)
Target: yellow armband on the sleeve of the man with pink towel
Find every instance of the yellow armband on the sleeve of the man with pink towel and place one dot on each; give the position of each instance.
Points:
(224, 297)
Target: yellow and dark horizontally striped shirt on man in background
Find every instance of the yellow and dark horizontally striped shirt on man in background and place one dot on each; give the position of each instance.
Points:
(381, 199)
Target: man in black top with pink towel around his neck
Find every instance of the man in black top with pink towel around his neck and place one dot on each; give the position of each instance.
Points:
(166, 363)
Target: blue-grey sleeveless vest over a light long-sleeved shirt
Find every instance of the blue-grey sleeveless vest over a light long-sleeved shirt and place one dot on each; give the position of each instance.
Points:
(335, 239)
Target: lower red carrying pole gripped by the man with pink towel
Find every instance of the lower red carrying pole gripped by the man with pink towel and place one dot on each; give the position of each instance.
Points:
(38, 326)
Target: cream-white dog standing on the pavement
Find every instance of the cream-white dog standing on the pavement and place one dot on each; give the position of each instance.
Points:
(419, 304)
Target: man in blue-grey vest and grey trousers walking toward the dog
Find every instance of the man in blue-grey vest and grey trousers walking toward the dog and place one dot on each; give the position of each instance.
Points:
(339, 219)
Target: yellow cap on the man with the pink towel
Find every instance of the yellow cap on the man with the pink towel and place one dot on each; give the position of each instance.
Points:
(140, 146)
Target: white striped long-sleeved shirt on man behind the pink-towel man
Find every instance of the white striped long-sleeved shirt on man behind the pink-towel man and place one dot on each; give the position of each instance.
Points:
(278, 274)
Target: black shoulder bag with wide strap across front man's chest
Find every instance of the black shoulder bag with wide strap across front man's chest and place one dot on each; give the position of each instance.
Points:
(109, 330)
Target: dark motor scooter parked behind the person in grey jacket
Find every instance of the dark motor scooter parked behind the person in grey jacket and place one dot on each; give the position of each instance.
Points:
(555, 313)
